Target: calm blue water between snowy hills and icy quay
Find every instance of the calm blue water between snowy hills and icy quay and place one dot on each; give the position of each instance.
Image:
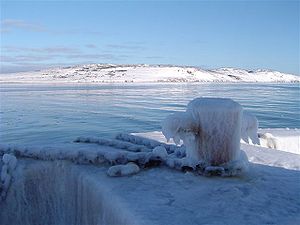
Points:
(43, 115)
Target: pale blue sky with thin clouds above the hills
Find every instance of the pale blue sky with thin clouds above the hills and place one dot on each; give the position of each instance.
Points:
(208, 34)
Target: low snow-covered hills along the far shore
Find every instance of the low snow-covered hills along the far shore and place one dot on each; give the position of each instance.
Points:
(109, 73)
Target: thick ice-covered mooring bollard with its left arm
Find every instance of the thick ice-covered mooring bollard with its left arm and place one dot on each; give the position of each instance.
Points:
(210, 129)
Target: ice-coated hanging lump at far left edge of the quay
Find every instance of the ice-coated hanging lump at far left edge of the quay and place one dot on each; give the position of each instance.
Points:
(8, 165)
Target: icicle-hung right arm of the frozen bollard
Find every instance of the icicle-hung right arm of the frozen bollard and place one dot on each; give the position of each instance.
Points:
(249, 129)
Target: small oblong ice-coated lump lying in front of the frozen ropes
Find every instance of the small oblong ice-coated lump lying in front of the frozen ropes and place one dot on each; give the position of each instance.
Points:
(123, 170)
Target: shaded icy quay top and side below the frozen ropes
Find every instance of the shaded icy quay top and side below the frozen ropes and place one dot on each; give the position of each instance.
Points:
(64, 193)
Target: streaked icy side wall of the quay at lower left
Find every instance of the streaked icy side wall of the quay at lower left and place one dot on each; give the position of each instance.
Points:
(62, 193)
